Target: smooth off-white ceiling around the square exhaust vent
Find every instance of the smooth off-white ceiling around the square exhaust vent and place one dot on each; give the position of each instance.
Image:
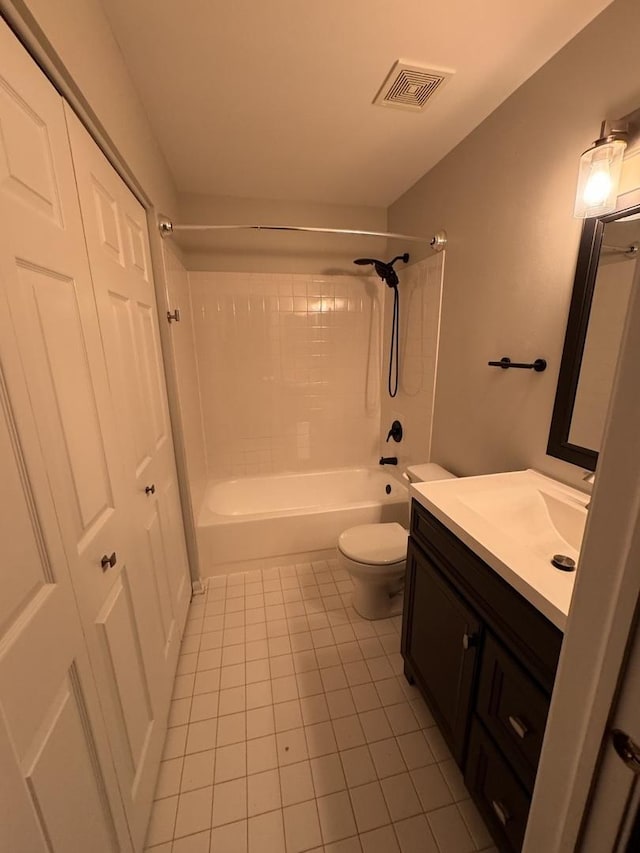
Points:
(274, 99)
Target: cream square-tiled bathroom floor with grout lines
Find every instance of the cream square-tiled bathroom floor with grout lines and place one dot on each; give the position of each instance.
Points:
(293, 729)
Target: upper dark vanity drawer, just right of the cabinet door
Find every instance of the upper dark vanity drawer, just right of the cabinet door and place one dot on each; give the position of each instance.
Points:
(513, 708)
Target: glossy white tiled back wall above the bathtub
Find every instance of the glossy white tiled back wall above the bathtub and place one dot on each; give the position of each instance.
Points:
(289, 370)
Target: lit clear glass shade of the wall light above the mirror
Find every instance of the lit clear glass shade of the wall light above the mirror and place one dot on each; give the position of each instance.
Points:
(599, 178)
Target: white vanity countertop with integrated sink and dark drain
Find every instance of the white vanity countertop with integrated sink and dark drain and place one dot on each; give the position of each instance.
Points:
(516, 522)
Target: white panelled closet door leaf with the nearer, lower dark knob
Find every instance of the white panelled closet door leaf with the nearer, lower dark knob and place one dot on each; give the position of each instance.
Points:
(52, 311)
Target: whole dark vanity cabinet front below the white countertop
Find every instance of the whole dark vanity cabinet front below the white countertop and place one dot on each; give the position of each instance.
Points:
(485, 660)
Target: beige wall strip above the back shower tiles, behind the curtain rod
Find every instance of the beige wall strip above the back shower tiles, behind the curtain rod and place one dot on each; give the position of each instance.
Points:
(247, 251)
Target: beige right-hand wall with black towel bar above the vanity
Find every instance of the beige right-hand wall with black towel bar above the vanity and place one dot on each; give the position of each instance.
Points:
(505, 197)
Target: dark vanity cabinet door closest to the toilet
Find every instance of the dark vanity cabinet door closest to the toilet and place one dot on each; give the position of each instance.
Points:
(439, 642)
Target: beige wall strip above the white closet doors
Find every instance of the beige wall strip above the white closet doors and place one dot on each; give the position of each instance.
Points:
(81, 37)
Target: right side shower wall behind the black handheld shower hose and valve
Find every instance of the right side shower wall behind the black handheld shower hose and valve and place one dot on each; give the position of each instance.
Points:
(420, 296)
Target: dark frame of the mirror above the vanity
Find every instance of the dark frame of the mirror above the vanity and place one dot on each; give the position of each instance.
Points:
(575, 337)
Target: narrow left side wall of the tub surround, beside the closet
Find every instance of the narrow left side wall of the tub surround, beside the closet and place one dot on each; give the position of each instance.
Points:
(187, 386)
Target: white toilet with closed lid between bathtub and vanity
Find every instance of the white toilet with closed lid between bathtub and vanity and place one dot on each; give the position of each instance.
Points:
(375, 555)
